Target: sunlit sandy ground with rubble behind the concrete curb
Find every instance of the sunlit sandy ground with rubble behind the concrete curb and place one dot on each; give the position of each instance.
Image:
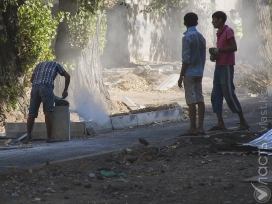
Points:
(140, 87)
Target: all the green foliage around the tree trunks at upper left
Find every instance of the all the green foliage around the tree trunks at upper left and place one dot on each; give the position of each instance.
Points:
(36, 29)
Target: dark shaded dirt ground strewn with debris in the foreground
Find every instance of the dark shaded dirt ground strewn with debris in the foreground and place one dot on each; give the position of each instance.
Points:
(190, 171)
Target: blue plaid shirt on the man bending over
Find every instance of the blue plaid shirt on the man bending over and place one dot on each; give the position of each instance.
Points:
(46, 72)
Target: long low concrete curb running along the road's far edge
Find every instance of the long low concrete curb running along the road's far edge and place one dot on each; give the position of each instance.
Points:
(15, 130)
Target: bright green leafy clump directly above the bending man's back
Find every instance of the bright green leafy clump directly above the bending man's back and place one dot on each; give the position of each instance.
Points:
(37, 28)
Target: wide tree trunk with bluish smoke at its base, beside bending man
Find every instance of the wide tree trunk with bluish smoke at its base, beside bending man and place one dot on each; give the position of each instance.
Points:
(87, 94)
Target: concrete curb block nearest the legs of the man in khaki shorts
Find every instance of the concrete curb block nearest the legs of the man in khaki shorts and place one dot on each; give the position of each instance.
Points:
(157, 116)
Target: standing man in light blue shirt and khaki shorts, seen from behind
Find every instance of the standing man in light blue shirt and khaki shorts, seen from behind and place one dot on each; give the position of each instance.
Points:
(193, 61)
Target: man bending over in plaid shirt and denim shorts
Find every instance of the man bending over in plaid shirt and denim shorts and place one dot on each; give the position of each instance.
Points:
(42, 92)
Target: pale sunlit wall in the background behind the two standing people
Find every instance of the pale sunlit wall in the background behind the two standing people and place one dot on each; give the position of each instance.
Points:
(135, 37)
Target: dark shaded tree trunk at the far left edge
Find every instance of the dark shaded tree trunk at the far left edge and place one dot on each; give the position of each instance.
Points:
(11, 73)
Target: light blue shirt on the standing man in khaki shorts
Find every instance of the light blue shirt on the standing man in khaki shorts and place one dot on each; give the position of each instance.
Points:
(193, 52)
